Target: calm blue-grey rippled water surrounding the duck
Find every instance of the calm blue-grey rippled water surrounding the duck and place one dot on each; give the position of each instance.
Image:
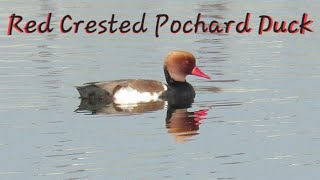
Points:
(262, 103)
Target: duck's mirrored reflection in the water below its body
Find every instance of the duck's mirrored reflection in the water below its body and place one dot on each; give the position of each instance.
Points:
(181, 123)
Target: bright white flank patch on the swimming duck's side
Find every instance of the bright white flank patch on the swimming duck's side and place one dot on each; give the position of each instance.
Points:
(128, 95)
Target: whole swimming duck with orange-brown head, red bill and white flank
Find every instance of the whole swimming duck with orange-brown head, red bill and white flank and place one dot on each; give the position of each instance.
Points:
(177, 65)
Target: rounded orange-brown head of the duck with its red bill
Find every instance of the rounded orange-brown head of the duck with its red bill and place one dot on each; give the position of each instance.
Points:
(179, 64)
